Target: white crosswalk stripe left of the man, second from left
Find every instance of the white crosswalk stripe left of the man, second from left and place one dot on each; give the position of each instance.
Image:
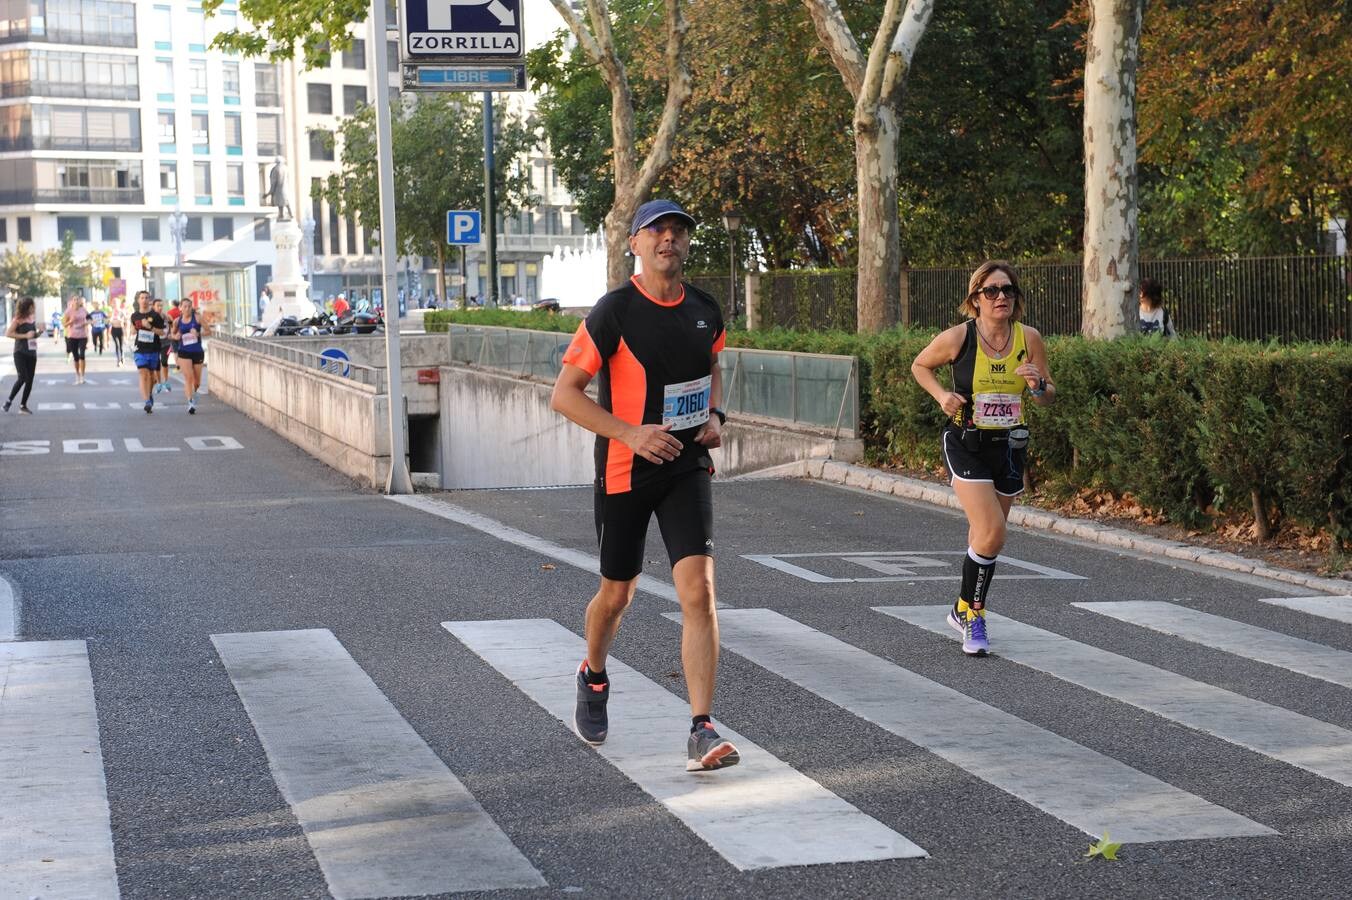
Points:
(383, 814)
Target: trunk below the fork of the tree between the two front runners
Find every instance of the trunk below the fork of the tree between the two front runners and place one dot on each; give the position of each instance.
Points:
(879, 287)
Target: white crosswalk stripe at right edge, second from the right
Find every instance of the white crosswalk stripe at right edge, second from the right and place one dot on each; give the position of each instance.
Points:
(1285, 652)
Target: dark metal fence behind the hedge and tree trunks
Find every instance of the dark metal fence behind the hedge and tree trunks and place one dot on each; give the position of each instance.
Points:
(1254, 299)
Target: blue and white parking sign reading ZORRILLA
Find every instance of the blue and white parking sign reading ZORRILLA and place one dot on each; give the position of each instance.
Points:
(460, 30)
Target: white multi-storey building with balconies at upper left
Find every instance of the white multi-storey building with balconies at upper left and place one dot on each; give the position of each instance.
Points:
(114, 114)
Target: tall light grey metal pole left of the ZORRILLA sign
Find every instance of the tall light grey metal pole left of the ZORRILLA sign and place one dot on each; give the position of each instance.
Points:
(400, 480)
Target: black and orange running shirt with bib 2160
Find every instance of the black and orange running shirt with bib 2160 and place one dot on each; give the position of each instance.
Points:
(654, 360)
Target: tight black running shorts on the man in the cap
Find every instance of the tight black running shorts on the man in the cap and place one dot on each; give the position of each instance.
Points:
(685, 507)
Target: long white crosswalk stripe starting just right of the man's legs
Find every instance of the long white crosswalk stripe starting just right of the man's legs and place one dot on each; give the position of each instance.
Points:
(1061, 778)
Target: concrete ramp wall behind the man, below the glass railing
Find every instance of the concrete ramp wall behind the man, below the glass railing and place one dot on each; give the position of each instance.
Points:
(498, 432)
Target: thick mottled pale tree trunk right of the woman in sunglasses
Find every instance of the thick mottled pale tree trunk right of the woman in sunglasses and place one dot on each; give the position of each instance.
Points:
(1111, 214)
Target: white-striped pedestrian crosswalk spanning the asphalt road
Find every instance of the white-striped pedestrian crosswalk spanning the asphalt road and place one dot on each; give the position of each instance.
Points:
(385, 816)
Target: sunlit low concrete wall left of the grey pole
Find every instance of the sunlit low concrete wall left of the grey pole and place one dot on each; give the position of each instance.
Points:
(336, 421)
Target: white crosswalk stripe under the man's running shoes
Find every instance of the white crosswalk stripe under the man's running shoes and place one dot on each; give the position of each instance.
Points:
(758, 816)
